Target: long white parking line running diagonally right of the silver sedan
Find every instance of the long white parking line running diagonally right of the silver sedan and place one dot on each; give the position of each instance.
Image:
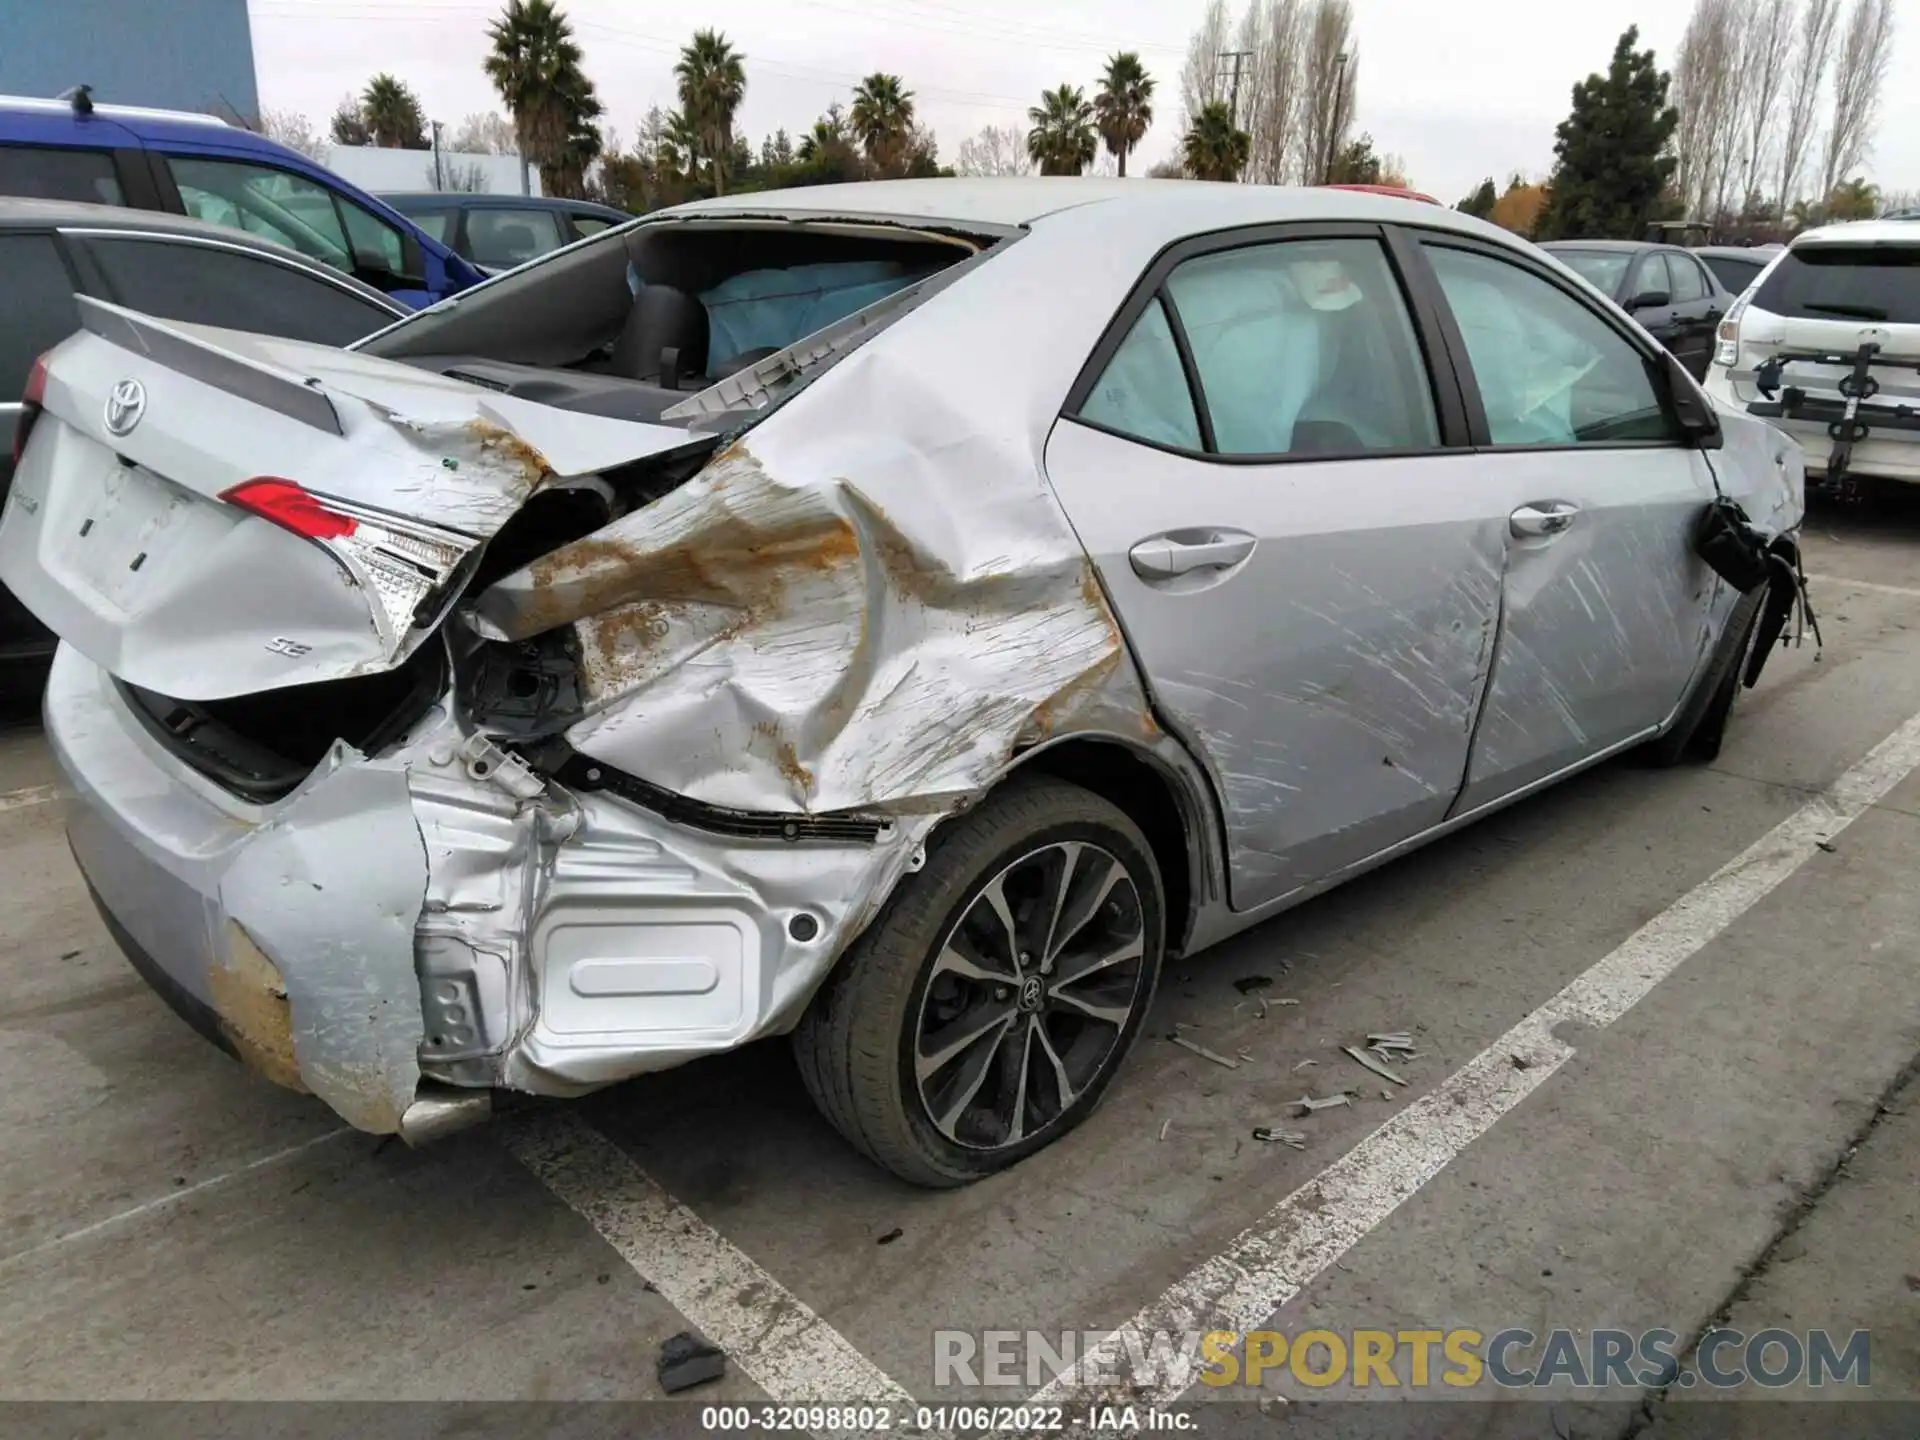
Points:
(1310, 1230)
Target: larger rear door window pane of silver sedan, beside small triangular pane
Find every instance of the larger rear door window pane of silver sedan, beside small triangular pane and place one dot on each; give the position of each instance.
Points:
(1305, 348)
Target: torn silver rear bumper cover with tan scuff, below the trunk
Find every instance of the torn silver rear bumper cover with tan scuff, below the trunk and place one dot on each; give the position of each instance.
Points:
(287, 934)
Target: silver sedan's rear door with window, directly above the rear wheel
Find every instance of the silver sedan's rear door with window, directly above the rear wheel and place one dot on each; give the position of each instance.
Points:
(1266, 473)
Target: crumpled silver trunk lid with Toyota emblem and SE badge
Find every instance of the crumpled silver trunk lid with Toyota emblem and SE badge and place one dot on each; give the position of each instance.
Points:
(124, 535)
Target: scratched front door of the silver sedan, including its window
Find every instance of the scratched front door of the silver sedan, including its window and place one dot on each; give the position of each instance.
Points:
(1606, 610)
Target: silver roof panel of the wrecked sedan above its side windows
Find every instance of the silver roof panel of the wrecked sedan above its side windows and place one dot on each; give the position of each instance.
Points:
(1188, 206)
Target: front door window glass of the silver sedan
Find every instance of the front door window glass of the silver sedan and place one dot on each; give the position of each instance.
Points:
(1550, 372)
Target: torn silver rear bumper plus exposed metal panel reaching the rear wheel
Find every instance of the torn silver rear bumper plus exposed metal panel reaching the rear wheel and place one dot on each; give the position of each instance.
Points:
(406, 923)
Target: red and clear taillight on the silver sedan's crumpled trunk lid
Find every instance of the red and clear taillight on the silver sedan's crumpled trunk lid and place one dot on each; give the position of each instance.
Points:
(402, 564)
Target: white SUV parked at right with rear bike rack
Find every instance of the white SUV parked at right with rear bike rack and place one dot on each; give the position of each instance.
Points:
(1827, 345)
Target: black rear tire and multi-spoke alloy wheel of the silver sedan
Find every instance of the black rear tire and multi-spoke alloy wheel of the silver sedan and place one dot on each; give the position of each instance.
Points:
(859, 1040)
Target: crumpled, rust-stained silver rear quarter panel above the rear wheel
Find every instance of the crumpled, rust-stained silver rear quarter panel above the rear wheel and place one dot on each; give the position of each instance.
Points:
(836, 613)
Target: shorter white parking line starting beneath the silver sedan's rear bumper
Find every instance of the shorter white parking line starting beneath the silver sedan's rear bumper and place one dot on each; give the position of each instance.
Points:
(765, 1330)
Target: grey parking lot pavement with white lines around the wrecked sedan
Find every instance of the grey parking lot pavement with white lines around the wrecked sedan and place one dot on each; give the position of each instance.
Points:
(1666, 1028)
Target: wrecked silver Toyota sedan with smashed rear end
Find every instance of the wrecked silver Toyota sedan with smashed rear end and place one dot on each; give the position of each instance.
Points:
(896, 615)
